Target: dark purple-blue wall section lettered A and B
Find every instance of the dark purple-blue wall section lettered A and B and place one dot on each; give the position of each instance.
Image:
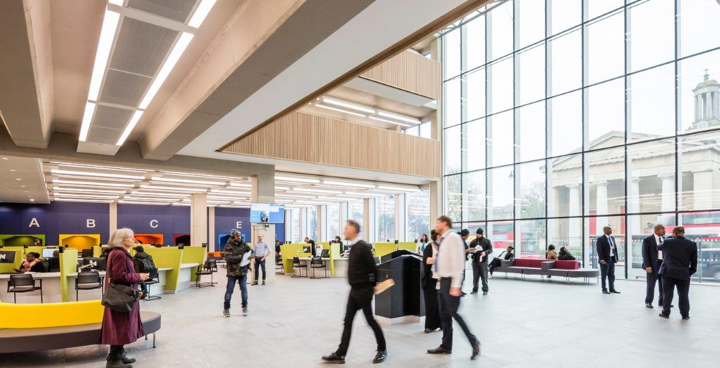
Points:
(55, 218)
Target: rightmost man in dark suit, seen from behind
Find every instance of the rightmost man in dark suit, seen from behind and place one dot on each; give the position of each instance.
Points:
(679, 264)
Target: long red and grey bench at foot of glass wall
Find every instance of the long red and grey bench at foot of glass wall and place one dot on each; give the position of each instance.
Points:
(543, 267)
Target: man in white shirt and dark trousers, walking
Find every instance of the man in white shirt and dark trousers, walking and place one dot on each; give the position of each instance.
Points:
(449, 267)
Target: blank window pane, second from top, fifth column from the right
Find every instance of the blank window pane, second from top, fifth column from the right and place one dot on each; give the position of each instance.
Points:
(530, 77)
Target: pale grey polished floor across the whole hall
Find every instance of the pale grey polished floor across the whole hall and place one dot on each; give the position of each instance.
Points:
(533, 323)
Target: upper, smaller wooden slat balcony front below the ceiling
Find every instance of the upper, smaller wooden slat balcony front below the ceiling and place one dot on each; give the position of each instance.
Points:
(409, 71)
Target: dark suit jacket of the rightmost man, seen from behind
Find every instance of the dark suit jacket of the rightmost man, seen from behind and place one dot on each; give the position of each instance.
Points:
(679, 258)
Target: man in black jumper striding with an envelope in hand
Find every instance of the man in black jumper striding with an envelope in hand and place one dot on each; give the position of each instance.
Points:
(362, 276)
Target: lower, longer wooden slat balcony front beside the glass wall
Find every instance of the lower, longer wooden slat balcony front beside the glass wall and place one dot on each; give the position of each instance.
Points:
(316, 139)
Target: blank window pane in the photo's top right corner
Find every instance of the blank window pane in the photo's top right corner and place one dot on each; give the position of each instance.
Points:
(698, 26)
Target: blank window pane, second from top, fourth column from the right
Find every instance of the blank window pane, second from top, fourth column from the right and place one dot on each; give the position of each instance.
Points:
(565, 63)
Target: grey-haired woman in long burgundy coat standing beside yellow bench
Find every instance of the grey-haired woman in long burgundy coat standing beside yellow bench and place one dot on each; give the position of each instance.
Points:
(120, 328)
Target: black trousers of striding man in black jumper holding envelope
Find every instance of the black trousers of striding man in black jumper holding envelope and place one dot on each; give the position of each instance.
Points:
(360, 299)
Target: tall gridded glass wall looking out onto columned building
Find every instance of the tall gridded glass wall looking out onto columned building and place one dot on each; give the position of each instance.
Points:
(564, 116)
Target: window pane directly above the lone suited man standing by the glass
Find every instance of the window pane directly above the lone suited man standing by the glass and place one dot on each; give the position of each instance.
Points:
(607, 181)
